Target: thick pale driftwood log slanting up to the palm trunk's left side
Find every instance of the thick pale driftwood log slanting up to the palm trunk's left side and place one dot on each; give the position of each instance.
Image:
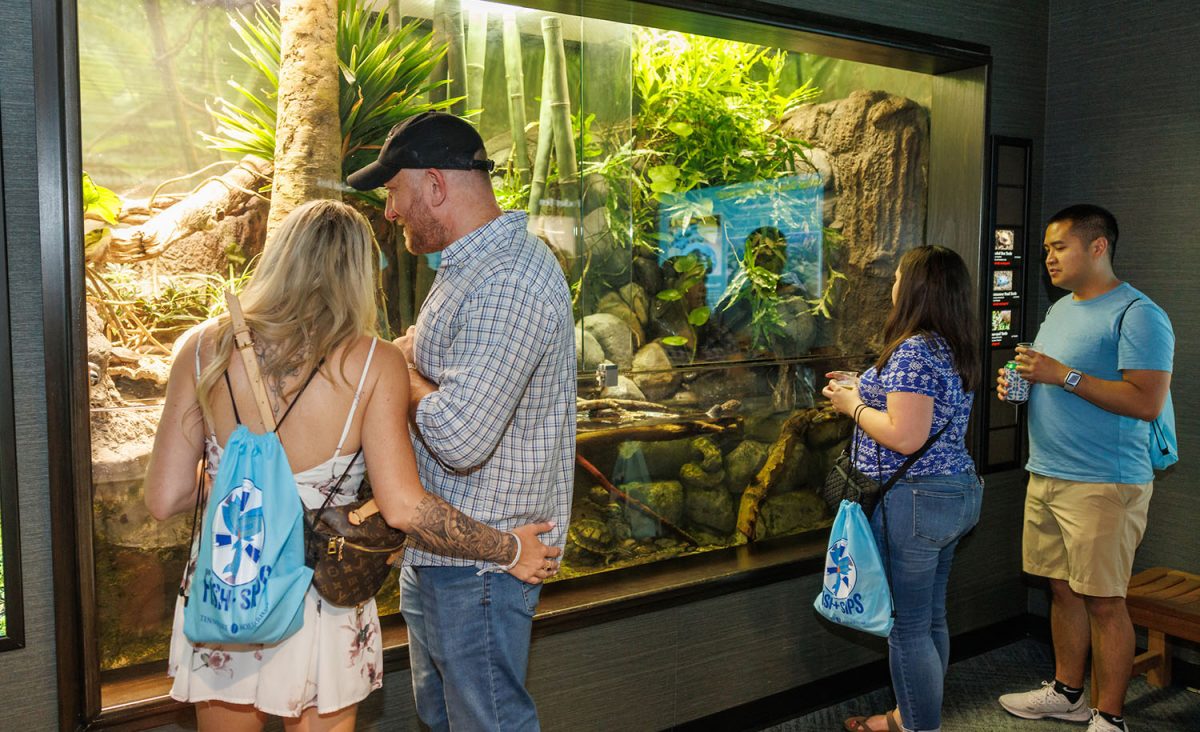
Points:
(199, 212)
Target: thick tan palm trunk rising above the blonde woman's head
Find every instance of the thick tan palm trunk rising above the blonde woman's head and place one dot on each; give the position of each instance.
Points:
(308, 136)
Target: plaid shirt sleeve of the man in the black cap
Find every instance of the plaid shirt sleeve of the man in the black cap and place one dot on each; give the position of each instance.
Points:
(501, 337)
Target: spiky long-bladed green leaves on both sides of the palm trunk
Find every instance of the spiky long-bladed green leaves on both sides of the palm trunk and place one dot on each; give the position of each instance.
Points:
(385, 76)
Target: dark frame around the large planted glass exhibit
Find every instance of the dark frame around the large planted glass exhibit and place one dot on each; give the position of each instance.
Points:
(59, 169)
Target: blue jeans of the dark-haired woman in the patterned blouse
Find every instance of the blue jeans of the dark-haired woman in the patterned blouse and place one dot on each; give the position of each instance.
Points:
(926, 518)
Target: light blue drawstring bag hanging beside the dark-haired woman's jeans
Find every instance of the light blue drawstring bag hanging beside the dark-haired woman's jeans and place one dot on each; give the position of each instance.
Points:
(855, 591)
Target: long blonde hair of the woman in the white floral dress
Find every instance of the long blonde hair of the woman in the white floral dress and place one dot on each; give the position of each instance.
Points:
(313, 292)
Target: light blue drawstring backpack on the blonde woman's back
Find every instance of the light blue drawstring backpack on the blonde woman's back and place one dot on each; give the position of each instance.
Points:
(251, 579)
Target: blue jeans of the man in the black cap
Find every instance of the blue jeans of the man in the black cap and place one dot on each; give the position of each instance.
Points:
(469, 646)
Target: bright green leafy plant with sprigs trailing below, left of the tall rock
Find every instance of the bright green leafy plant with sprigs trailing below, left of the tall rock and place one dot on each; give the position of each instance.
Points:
(707, 115)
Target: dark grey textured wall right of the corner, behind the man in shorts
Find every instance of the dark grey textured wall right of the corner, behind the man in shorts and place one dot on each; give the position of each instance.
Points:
(1123, 123)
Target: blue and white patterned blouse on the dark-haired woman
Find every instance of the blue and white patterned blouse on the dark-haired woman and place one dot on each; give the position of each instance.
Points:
(921, 365)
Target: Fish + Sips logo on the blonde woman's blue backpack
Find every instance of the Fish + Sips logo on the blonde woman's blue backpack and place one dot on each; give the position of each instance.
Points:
(238, 536)
